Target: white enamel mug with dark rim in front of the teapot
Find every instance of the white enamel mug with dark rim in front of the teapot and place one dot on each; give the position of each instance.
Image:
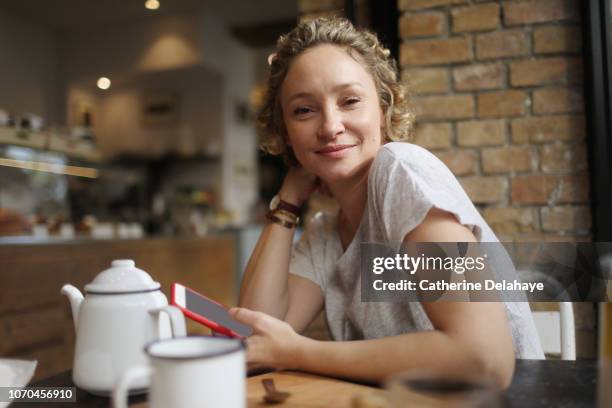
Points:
(190, 372)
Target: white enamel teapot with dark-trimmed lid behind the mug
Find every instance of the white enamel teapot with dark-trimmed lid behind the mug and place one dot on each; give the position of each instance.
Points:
(119, 316)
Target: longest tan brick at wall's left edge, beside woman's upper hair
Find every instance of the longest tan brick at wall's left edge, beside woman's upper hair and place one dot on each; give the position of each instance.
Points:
(431, 52)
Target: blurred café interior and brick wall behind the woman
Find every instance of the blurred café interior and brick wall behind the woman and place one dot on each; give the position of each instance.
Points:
(127, 130)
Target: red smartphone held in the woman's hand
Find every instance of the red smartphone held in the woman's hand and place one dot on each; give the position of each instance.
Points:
(207, 312)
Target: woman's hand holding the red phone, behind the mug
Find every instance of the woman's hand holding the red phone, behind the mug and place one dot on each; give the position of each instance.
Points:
(273, 344)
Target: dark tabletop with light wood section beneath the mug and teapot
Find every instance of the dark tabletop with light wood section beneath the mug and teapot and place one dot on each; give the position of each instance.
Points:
(536, 383)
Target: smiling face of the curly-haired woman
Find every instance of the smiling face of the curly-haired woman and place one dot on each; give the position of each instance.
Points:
(332, 113)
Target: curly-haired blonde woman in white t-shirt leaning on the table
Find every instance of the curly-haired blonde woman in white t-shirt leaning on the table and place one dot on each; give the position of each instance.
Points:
(333, 108)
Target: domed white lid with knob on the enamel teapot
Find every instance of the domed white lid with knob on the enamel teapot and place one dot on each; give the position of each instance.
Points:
(122, 277)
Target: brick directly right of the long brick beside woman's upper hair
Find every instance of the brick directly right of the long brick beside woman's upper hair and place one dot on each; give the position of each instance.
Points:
(502, 44)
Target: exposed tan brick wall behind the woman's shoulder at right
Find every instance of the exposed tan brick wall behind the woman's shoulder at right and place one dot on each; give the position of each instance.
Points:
(498, 91)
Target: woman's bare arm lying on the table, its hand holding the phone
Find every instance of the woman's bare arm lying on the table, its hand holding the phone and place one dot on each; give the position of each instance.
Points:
(470, 339)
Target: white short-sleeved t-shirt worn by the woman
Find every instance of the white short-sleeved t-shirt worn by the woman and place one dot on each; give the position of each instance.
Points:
(404, 183)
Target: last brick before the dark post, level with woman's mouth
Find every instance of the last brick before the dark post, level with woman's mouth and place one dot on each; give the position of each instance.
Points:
(563, 158)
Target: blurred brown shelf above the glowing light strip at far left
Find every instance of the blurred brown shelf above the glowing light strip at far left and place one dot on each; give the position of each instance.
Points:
(51, 142)
